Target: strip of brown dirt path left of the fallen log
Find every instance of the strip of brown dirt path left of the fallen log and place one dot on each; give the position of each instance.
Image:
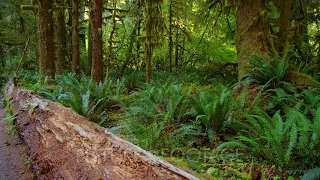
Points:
(14, 161)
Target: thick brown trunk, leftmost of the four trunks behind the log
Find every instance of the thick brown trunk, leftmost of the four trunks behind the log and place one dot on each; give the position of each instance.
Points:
(46, 61)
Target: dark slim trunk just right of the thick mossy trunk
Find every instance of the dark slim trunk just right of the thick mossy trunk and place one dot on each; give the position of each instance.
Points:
(285, 15)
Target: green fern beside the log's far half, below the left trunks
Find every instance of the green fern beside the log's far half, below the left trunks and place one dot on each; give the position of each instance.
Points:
(87, 97)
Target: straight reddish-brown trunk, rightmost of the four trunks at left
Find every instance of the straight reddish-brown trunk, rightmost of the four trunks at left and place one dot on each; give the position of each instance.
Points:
(97, 55)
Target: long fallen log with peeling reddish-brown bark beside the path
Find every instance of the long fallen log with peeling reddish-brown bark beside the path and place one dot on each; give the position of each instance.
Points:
(64, 145)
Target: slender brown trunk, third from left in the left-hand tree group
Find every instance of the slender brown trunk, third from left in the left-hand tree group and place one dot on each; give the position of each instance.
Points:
(75, 37)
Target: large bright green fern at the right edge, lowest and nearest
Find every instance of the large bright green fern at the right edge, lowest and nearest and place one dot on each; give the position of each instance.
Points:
(281, 140)
